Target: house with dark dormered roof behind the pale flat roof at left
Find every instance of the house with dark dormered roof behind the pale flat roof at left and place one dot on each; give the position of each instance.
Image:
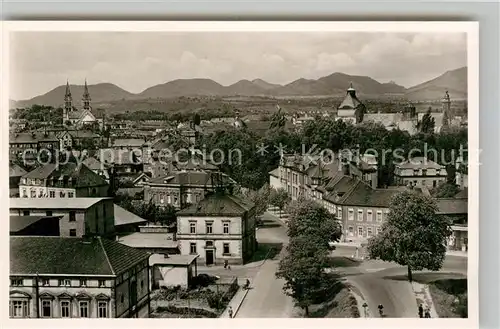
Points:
(62, 180)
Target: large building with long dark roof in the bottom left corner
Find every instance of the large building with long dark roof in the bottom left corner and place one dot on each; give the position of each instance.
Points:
(54, 277)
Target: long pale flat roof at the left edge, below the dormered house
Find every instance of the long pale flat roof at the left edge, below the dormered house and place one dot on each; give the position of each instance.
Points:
(53, 203)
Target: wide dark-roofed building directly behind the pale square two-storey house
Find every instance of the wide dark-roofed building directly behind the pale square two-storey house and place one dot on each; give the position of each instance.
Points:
(182, 188)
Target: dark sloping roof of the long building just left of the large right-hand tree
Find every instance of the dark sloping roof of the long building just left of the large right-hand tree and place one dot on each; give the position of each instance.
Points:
(364, 195)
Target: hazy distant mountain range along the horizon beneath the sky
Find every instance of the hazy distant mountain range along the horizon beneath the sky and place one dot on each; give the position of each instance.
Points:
(335, 84)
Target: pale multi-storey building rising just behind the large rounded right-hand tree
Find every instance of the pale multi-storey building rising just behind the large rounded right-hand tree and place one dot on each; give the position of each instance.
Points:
(420, 172)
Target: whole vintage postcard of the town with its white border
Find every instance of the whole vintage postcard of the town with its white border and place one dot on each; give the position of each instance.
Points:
(285, 170)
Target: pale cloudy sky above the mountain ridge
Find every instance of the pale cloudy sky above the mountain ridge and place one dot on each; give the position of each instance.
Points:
(41, 61)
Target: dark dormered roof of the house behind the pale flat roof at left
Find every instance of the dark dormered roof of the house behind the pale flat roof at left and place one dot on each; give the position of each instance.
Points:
(81, 175)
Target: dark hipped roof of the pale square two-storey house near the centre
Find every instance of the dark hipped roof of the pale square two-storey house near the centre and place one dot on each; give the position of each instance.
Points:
(217, 205)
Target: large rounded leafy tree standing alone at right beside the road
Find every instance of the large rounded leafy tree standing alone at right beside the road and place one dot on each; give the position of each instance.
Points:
(413, 234)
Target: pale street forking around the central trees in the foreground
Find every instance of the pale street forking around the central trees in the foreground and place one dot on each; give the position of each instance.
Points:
(376, 281)
